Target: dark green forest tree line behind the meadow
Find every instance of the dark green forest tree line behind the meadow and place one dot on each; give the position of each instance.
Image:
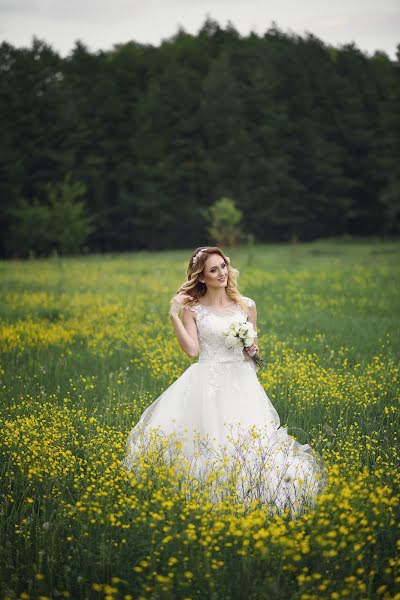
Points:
(142, 140)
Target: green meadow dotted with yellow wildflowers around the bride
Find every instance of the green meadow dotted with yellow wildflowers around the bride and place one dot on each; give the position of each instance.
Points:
(86, 344)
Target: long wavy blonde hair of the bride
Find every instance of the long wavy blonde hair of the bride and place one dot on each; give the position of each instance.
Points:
(196, 289)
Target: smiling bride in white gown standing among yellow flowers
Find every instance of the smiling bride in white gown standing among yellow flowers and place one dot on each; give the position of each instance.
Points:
(217, 408)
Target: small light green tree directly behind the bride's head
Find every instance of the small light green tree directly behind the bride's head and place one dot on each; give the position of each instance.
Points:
(224, 219)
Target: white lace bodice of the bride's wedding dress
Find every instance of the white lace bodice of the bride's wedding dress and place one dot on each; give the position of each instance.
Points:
(211, 324)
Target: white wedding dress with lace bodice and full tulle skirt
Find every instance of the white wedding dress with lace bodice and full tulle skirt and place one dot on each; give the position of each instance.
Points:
(219, 410)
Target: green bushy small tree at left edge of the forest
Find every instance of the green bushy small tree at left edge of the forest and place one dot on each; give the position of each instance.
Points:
(58, 223)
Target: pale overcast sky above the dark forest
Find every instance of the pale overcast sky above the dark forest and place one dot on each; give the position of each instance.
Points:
(371, 24)
